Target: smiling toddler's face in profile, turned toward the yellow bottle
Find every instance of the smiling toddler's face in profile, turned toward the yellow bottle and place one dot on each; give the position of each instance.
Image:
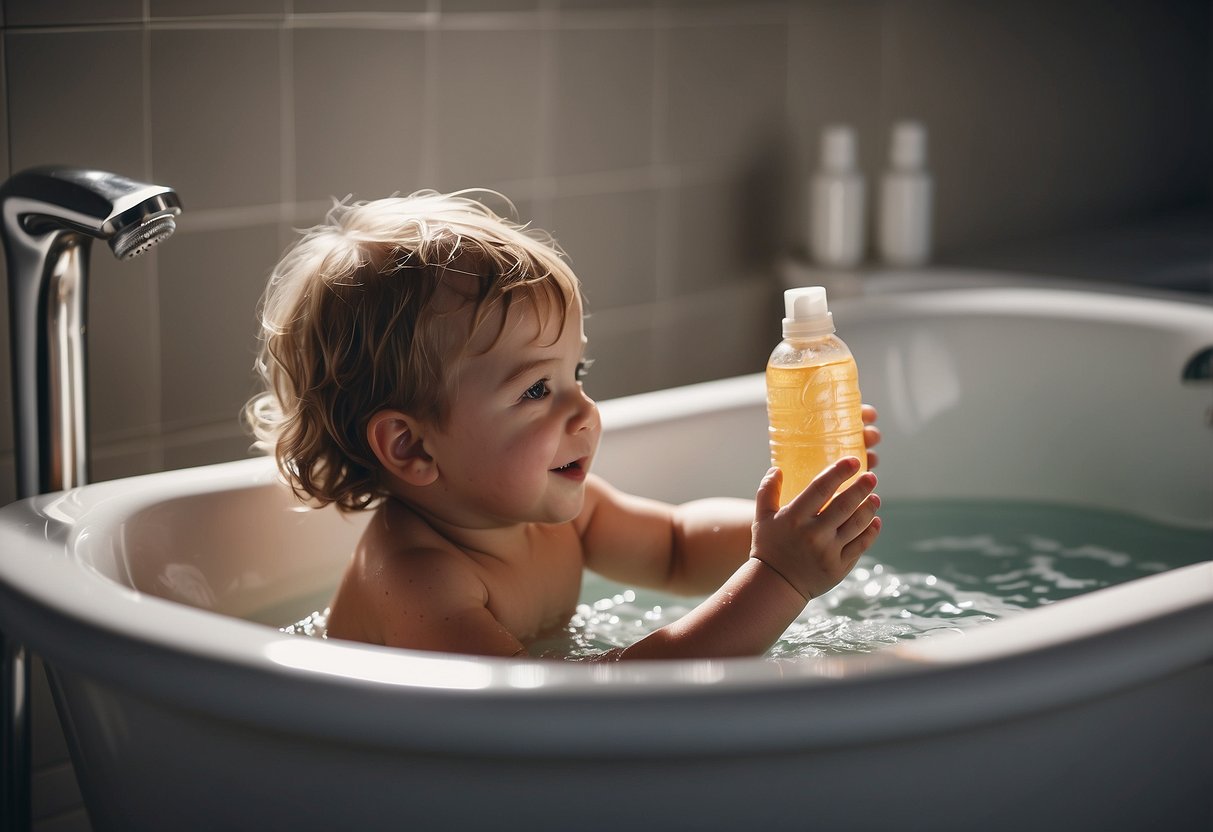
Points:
(522, 432)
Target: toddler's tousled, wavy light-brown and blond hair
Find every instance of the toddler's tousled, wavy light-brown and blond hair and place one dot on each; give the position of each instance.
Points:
(368, 312)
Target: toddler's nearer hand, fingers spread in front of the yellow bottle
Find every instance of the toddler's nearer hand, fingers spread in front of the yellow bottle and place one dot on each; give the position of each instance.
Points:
(810, 546)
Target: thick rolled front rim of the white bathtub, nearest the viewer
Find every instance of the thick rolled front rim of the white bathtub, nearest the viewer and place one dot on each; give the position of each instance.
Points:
(539, 708)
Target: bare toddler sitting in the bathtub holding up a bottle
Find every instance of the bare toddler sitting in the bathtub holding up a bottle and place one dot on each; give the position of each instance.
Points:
(424, 361)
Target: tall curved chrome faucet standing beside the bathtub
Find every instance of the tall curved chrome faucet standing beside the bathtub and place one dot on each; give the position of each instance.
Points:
(50, 218)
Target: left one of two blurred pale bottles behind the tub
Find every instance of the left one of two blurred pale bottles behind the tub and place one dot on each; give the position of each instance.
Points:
(836, 203)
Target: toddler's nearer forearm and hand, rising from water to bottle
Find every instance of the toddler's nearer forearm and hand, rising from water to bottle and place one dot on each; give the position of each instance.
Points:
(796, 554)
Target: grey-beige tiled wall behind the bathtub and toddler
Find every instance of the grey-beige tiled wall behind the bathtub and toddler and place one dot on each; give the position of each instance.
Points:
(665, 144)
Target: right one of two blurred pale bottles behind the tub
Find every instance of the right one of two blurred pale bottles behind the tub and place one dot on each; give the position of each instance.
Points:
(906, 223)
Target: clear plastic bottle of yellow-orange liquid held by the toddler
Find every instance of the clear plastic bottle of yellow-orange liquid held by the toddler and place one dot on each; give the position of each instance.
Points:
(813, 401)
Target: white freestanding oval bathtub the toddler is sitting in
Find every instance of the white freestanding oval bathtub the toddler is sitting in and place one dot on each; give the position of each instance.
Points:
(1090, 714)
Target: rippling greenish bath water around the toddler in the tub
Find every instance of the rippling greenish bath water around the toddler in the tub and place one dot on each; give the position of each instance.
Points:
(938, 566)
